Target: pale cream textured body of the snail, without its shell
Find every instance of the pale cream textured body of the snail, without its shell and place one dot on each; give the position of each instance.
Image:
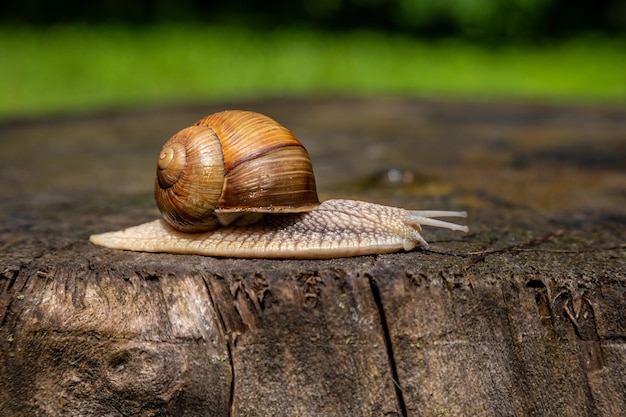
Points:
(336, 228)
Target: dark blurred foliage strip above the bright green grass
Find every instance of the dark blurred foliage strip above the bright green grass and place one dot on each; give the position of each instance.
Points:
(493, 21)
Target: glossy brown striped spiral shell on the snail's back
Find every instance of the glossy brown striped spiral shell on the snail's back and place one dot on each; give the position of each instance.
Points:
(229, 168)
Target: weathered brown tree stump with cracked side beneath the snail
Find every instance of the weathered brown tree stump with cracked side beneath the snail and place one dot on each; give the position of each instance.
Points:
(522, 316)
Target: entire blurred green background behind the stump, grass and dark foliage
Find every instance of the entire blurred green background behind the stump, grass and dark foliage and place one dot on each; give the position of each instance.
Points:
(70, 55)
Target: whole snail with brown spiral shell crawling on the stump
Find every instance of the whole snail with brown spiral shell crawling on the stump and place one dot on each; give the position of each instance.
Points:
(238, 184)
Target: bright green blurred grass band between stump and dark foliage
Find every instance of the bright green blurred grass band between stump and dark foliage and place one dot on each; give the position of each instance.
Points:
(81, 68)
